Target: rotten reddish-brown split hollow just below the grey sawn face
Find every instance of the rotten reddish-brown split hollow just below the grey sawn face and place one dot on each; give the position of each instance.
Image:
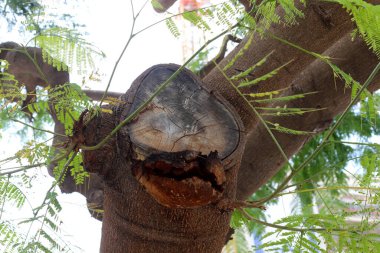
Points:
(182, 180)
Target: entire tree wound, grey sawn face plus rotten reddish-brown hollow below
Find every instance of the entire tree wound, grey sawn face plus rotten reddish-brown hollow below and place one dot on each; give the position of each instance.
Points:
(172, 136)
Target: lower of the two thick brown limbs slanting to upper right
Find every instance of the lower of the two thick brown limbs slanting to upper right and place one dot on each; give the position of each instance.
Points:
(352, 57)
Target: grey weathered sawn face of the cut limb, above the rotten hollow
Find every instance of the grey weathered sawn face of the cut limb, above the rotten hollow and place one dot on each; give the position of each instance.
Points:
(184, 116)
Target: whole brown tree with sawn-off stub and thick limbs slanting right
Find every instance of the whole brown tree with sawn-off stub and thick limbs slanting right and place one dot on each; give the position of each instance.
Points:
(131, 164)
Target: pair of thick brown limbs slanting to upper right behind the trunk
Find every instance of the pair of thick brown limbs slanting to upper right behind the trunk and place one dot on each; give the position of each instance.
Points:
(325, 29)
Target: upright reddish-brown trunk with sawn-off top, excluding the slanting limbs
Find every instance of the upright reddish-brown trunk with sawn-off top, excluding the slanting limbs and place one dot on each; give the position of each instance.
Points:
(134, 220)
